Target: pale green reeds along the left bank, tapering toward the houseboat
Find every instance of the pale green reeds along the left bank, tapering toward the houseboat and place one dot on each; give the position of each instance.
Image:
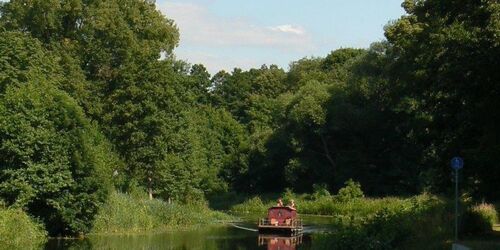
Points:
(131, 214)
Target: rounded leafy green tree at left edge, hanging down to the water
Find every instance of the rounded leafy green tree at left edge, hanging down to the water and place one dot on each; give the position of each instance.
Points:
(51, 158)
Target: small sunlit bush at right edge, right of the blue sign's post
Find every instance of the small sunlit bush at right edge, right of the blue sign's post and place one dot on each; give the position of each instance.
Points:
(479, 219)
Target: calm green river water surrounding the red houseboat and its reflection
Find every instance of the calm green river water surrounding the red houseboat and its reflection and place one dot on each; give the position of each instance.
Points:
(214, 237)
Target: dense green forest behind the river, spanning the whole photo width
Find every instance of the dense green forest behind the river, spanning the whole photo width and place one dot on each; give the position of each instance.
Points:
(92, 98)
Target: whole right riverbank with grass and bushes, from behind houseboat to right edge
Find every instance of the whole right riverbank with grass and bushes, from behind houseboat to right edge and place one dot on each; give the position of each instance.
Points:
(422, 221)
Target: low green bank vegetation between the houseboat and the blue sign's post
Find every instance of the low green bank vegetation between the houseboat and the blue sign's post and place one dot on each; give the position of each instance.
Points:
(370, 223)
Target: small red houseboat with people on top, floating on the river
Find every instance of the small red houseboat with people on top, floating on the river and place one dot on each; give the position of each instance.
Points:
(281, 220)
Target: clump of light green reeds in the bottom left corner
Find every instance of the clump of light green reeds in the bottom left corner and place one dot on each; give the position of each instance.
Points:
(20, 231)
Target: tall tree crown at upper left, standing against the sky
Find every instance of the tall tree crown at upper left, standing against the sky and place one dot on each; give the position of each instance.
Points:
(101, 37)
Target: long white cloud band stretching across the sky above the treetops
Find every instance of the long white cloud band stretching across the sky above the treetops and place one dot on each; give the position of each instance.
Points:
(200, 27)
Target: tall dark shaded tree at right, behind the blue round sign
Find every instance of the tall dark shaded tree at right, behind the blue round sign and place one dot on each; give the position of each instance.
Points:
(446, 59)
